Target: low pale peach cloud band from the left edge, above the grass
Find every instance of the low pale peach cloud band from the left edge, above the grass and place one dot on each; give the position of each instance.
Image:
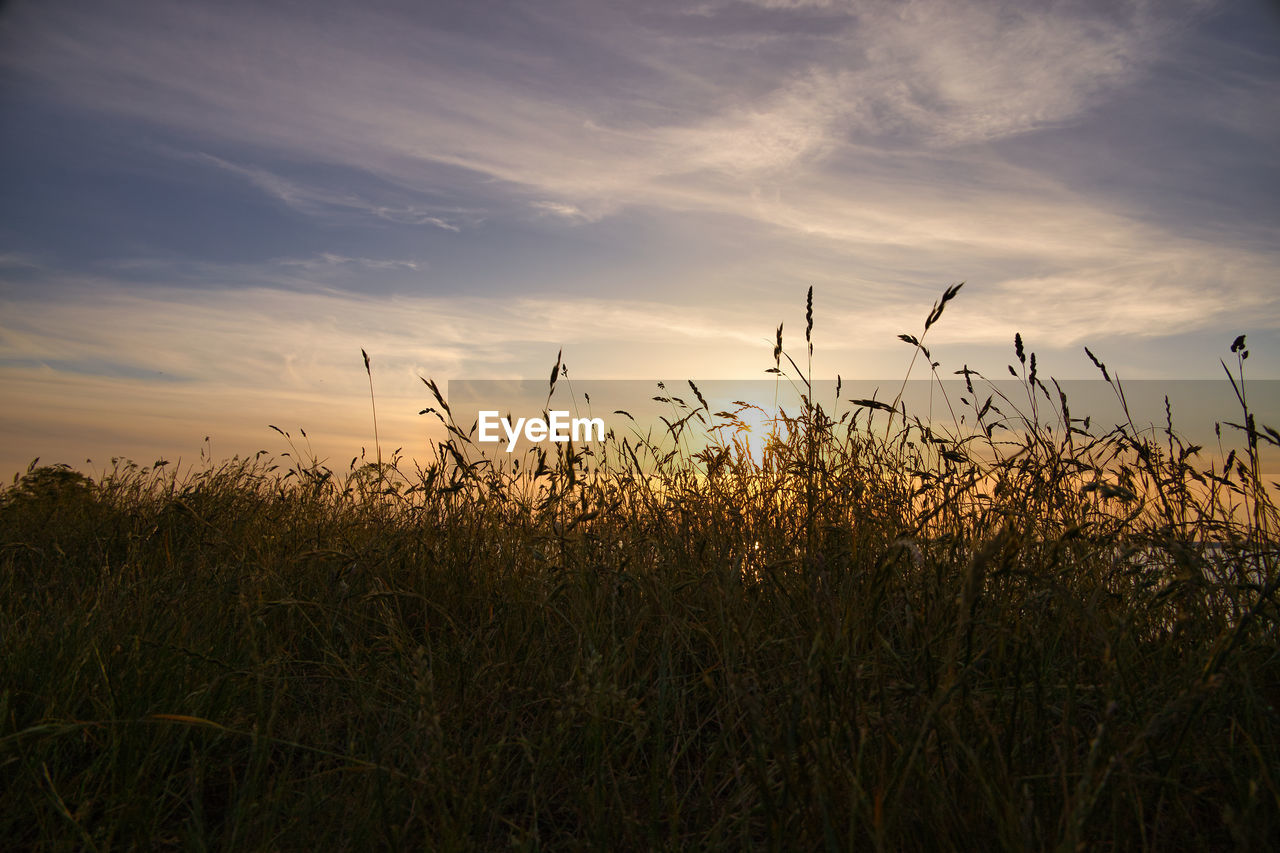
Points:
(264, 337)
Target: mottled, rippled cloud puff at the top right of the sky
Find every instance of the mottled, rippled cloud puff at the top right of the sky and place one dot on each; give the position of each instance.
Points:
(953, 74)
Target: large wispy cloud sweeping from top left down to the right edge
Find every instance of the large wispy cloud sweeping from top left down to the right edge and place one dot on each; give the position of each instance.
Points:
(870, 140)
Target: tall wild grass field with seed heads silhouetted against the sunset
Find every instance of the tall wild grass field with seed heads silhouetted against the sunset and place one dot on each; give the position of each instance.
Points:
(1023, 635)
